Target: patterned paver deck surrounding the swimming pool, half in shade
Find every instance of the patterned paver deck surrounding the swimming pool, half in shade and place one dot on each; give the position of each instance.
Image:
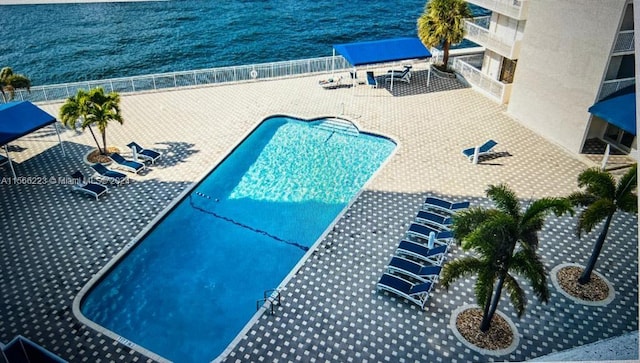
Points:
(54, 240)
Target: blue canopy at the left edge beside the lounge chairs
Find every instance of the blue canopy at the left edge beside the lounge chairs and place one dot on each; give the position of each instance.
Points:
(21, 118)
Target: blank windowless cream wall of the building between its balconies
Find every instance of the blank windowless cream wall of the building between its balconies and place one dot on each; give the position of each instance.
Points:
(563, 59)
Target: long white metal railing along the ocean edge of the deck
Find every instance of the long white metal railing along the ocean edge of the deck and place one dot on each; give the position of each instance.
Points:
(197, 78)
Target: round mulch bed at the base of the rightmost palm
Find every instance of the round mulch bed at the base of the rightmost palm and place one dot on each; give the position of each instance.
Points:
(594, 290)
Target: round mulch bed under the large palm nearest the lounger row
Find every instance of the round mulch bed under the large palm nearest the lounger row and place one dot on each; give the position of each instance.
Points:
(499, 336)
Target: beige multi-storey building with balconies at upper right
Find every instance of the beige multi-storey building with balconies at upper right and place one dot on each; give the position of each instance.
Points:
(549, 61)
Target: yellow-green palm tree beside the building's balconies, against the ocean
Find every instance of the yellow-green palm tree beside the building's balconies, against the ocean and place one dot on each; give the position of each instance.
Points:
(442, 23)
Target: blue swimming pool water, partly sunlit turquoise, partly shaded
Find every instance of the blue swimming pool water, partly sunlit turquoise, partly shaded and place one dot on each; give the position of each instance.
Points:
(191, 284)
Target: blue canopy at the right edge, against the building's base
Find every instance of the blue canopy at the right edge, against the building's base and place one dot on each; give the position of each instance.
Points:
(618, 109)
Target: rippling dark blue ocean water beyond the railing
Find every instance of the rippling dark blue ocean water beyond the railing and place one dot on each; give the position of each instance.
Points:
(59, 43)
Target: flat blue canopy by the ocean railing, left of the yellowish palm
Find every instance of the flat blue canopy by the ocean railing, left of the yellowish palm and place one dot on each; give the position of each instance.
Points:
(382, 51)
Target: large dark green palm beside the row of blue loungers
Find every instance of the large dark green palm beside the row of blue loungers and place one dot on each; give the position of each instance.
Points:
(505, 241)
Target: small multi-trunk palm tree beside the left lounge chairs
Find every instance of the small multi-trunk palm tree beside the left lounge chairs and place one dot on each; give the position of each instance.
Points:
(93, 108)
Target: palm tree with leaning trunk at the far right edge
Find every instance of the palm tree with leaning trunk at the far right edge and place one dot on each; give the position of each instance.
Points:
(602, 197)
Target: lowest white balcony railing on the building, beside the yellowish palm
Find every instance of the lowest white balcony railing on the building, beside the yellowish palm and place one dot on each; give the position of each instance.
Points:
(493, 88)
